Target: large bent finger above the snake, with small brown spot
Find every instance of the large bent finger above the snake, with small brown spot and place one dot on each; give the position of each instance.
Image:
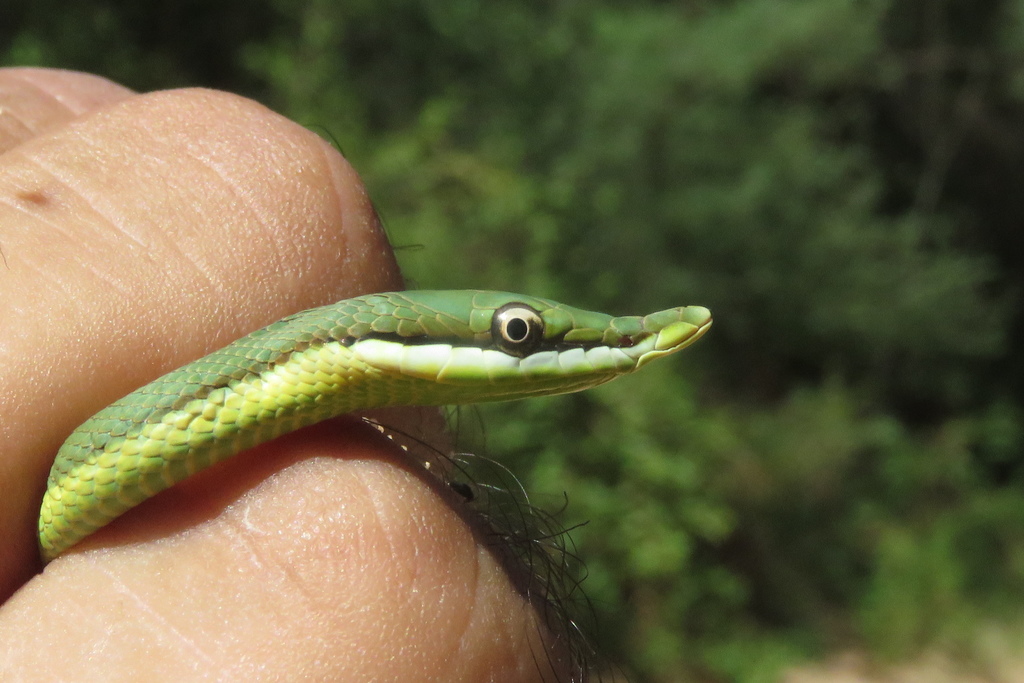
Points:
(143, 236)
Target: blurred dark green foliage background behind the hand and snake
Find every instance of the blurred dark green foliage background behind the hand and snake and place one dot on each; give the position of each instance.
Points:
(837, 467)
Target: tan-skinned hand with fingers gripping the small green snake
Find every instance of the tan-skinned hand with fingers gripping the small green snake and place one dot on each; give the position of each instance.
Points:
(140, 233)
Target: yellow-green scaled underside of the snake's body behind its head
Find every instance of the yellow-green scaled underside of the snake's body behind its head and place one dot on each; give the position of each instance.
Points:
(105, 469)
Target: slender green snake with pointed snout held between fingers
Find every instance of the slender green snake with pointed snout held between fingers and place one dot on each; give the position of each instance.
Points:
(400, 349)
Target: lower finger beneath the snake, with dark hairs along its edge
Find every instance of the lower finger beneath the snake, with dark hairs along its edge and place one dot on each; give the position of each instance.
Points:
(298, 605)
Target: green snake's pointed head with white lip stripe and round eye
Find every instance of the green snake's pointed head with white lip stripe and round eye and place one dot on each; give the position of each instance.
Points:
(474, 346)
